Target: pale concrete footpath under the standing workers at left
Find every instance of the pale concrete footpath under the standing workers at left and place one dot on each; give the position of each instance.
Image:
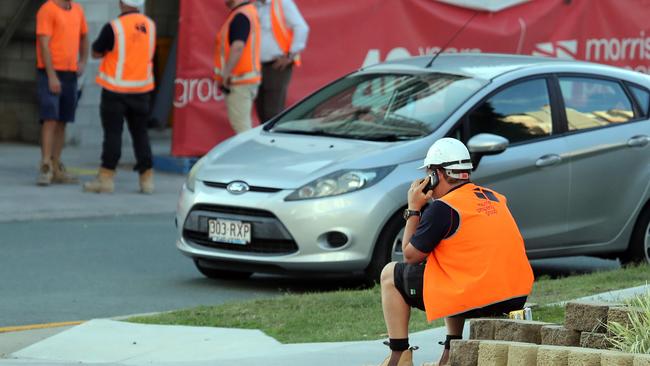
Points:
(21, 199)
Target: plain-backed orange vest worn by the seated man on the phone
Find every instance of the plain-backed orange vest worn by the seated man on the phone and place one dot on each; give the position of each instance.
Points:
(483, 263)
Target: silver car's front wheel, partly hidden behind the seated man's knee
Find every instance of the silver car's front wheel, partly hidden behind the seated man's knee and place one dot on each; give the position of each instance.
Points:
(388, 248)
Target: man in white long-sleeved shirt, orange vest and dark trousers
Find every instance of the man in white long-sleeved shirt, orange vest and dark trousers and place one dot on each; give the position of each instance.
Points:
(284, 37)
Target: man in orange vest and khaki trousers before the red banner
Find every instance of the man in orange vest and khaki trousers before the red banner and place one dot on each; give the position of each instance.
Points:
(237, 62)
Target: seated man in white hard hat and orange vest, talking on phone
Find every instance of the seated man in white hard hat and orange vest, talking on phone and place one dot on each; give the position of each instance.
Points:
(463, 254)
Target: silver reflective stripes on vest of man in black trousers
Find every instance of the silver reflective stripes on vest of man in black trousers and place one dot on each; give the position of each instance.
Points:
(120, 42)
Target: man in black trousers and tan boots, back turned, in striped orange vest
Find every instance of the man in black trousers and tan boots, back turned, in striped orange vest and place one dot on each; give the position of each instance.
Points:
(126, 46)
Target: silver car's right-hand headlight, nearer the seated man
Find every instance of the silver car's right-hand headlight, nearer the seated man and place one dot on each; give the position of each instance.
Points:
(340, 182)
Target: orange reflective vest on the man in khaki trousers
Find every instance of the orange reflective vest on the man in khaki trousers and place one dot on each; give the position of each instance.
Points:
(247, 70)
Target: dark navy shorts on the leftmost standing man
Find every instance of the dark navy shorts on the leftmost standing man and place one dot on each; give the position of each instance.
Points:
(57, 107)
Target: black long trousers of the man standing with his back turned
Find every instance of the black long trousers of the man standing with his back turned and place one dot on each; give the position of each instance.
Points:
(114, 108)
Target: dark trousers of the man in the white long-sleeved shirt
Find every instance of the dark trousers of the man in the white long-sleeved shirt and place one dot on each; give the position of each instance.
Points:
(272, 95)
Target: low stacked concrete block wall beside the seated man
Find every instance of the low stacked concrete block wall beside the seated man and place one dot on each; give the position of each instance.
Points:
(517, 342)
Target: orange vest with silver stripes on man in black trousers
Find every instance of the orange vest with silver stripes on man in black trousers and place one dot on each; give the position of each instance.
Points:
(128, 67)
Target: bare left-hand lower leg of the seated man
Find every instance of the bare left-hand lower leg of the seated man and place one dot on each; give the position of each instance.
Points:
(396, 311)
